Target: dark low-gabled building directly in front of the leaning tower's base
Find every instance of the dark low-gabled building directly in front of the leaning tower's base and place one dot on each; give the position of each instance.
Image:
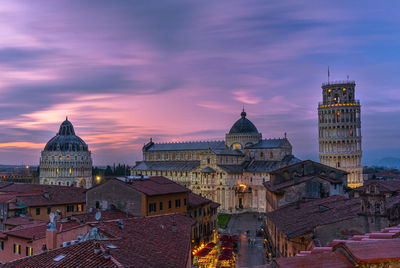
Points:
(304, 180)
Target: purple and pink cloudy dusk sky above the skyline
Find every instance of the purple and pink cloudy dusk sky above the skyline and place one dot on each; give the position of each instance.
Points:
(125, 71)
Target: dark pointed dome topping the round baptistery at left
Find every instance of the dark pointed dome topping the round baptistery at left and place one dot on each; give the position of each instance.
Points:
(66, 140)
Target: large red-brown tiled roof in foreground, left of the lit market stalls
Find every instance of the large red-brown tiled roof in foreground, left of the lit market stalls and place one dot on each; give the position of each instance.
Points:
(157, 241)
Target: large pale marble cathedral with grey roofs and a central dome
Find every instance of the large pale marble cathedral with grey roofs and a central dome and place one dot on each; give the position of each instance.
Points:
(230, 172)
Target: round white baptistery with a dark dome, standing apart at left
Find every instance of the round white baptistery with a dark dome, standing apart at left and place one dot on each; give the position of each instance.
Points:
(66, 159)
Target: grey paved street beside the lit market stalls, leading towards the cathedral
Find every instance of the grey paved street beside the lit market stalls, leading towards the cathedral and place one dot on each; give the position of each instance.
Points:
(245, 226)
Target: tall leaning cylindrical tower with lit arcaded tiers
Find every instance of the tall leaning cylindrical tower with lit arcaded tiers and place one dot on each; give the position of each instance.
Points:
(339, 125)
